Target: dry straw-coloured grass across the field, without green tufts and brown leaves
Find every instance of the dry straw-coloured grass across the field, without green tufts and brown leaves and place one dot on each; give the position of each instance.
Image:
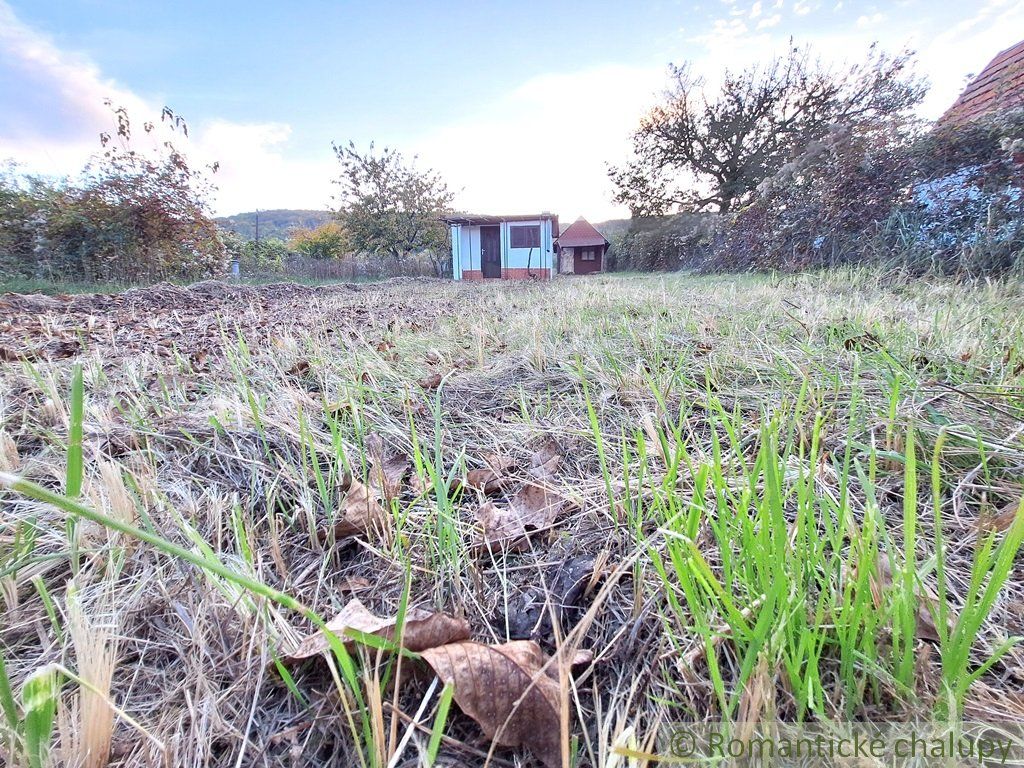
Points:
(225, 418)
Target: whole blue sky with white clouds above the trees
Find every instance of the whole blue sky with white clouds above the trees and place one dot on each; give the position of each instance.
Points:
(521, 106)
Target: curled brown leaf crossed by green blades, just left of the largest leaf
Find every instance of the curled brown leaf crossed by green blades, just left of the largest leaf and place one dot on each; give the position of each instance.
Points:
(422, 630)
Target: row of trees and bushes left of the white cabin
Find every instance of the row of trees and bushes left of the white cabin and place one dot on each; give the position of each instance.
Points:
(141, 212)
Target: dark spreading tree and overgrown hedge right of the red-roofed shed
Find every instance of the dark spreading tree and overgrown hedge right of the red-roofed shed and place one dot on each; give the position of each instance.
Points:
(798, 164)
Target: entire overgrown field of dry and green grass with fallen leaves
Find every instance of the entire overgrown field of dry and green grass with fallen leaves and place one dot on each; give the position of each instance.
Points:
(702, 498)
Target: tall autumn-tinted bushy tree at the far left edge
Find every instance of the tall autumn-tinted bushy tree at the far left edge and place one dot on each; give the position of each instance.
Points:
(134, 216)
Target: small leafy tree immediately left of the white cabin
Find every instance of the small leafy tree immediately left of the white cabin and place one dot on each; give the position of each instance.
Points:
(391, 208)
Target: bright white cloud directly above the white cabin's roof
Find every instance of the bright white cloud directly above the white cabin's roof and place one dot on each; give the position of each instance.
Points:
(544, 146)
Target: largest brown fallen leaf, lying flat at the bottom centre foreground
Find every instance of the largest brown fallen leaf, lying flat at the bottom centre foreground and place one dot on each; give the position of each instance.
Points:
(511, 691)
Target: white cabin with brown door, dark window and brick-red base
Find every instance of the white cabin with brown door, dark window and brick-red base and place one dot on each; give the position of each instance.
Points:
(519, 247)
